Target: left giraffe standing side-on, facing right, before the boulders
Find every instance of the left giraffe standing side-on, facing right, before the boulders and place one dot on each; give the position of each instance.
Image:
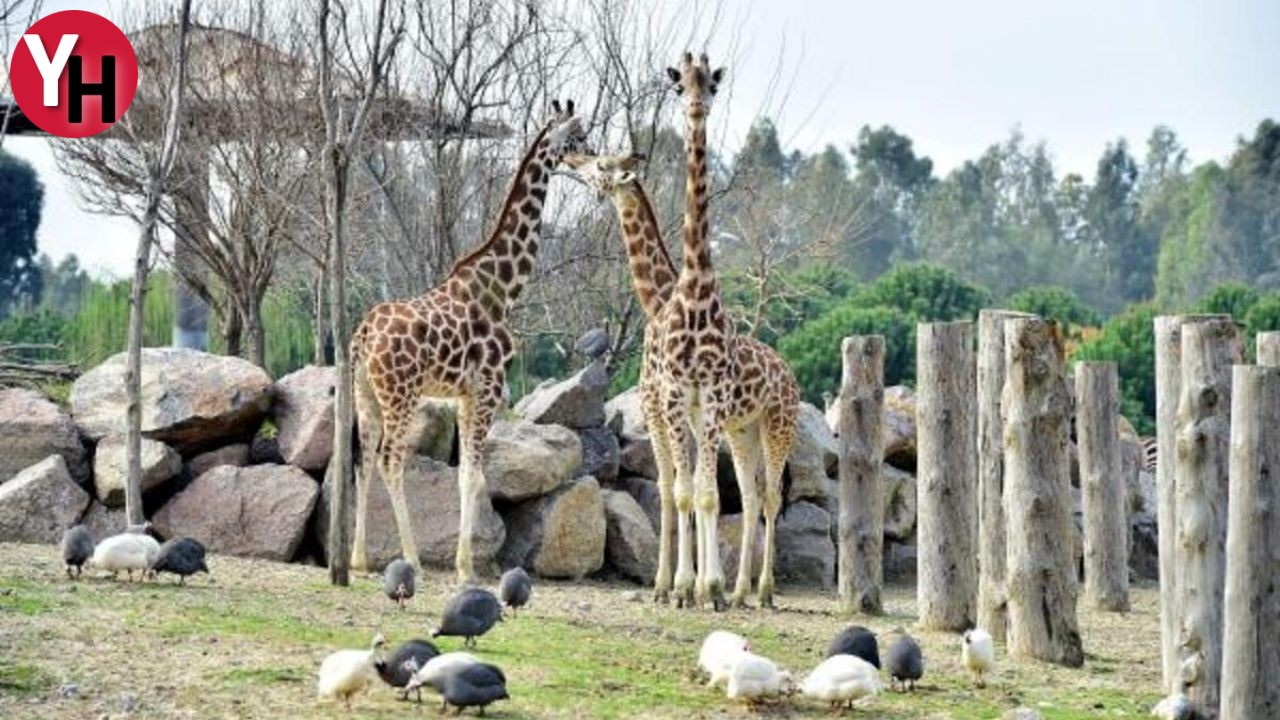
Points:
(452, 343)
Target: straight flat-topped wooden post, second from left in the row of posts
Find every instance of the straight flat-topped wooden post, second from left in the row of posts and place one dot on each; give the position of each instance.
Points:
(948, 508)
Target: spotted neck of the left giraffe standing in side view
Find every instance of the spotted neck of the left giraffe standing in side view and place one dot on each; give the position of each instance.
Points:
(495, 275)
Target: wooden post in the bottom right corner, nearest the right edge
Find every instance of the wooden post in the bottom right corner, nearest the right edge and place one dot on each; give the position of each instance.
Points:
(1251, 650)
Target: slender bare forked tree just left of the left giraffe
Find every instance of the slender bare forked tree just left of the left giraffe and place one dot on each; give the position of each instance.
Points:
(350, 84)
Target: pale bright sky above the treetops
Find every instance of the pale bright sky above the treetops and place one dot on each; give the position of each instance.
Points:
(957, 78)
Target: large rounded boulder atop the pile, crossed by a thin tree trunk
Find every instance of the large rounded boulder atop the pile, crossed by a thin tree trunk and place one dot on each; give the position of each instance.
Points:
(191, 400)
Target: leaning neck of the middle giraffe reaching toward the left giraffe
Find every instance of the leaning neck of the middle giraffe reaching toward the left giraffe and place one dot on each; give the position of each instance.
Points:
(653, 274)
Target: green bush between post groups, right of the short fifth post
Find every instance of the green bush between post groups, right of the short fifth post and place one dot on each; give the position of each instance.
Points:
(1130, 340)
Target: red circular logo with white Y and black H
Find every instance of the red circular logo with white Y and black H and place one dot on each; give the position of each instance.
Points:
(74, 74)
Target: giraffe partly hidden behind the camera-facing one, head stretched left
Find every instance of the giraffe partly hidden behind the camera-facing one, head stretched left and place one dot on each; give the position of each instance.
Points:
(766, 398)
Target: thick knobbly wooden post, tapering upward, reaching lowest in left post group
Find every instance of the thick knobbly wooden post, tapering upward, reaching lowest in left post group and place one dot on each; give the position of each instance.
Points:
(1041, 569)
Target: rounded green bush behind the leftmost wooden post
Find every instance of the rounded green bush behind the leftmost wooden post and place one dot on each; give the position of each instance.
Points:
(813, 350)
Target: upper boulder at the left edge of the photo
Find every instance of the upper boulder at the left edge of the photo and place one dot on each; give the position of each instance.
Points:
(34, 429)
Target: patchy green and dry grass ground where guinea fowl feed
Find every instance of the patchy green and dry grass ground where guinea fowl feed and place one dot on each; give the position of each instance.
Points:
(248, 641)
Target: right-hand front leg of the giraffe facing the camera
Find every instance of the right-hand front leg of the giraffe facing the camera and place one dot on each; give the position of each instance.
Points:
(711, 577)
